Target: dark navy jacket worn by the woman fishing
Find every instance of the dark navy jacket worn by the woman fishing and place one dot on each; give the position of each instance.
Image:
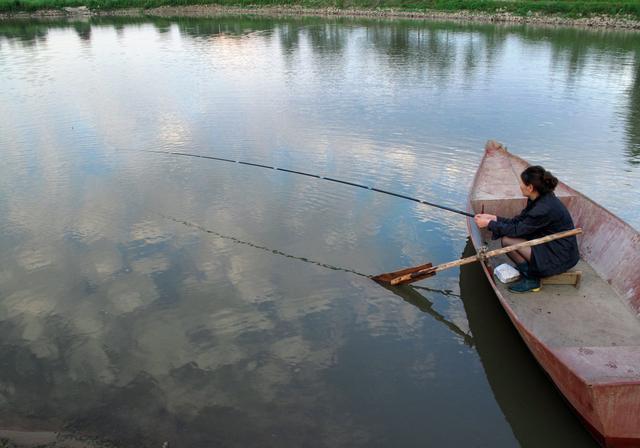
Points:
(542, 217)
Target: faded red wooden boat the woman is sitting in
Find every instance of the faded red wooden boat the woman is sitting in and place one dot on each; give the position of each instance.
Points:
(587, 338)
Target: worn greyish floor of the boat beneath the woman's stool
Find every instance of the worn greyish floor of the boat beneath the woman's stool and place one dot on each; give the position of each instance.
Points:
(592, 315)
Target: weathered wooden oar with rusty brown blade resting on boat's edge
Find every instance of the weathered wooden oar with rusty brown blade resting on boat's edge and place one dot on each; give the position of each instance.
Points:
(410, 275)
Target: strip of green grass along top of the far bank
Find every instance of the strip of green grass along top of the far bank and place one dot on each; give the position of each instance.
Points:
(569, 8)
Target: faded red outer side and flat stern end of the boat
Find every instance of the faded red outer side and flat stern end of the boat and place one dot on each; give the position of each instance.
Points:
(607, 399)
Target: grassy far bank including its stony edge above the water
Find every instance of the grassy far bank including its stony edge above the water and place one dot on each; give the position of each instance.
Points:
(593, 11)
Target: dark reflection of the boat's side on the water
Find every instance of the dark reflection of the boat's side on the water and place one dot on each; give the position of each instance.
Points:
(521, 389)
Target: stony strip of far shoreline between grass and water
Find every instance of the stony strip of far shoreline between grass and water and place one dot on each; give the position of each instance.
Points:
(595, 22)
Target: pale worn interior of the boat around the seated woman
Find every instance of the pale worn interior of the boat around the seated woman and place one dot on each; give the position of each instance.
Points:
(602, 311)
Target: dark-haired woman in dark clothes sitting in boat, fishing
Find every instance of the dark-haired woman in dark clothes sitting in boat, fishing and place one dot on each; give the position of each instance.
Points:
(543, 215)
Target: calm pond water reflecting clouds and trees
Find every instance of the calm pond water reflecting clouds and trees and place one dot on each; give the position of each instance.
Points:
(147, 297)
